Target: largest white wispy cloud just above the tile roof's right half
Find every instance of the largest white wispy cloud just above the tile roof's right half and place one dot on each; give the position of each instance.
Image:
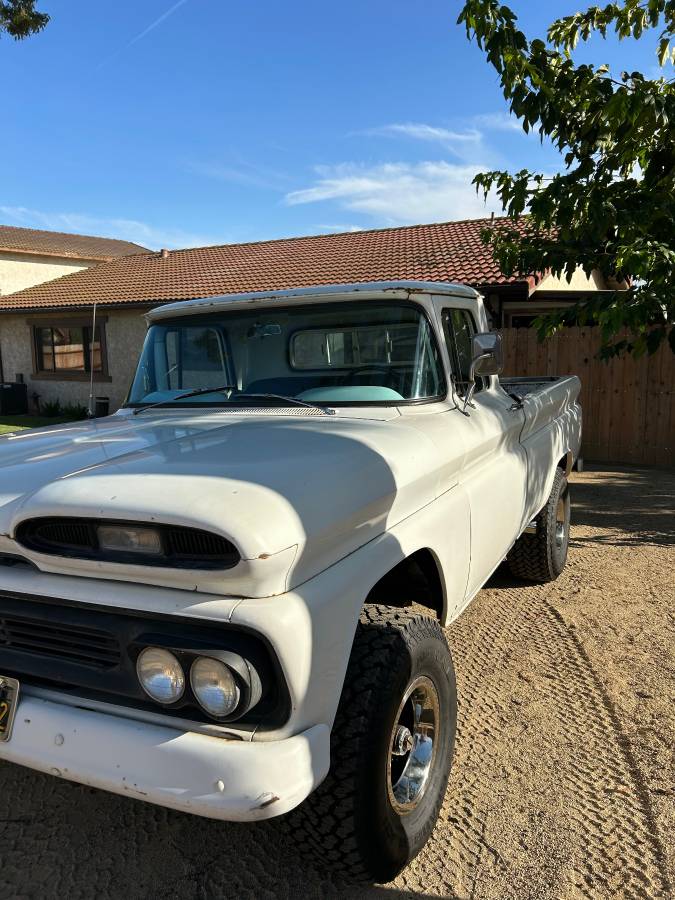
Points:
(399, 193)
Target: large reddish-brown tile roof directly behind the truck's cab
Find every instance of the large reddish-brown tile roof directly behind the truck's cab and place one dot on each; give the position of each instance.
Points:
(450, 251)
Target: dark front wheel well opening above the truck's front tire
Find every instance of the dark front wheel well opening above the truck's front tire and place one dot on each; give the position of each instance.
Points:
(415, 580)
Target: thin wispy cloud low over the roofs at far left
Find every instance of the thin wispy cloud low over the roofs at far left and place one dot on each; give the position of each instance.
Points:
(143, 233)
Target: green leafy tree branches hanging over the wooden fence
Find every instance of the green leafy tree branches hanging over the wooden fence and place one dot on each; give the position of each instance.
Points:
(612, 209)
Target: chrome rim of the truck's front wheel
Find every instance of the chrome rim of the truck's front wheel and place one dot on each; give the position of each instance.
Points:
(413, 745)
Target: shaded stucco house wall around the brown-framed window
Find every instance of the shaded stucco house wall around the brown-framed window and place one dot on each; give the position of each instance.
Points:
(125, 331)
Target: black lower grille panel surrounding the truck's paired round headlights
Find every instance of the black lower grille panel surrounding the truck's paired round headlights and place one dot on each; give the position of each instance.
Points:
(88, 651)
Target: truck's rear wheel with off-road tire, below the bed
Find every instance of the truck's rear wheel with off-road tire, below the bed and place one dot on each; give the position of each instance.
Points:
(541, 557)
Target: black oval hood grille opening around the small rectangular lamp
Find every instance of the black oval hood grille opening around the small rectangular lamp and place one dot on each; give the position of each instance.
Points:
(182, 547)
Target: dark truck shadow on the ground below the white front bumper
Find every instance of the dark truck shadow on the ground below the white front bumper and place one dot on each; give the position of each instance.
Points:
(62, 839)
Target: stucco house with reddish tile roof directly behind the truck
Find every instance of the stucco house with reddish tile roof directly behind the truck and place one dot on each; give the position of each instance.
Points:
(46, 331)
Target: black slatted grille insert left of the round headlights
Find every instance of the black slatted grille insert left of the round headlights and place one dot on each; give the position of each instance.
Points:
(87, 646)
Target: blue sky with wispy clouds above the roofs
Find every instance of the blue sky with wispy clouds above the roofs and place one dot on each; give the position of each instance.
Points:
(190, 122)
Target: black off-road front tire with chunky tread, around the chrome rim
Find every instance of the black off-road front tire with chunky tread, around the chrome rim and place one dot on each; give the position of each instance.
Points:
(349, 823)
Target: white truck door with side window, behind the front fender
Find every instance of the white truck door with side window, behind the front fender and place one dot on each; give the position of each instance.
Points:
(494, 473)
